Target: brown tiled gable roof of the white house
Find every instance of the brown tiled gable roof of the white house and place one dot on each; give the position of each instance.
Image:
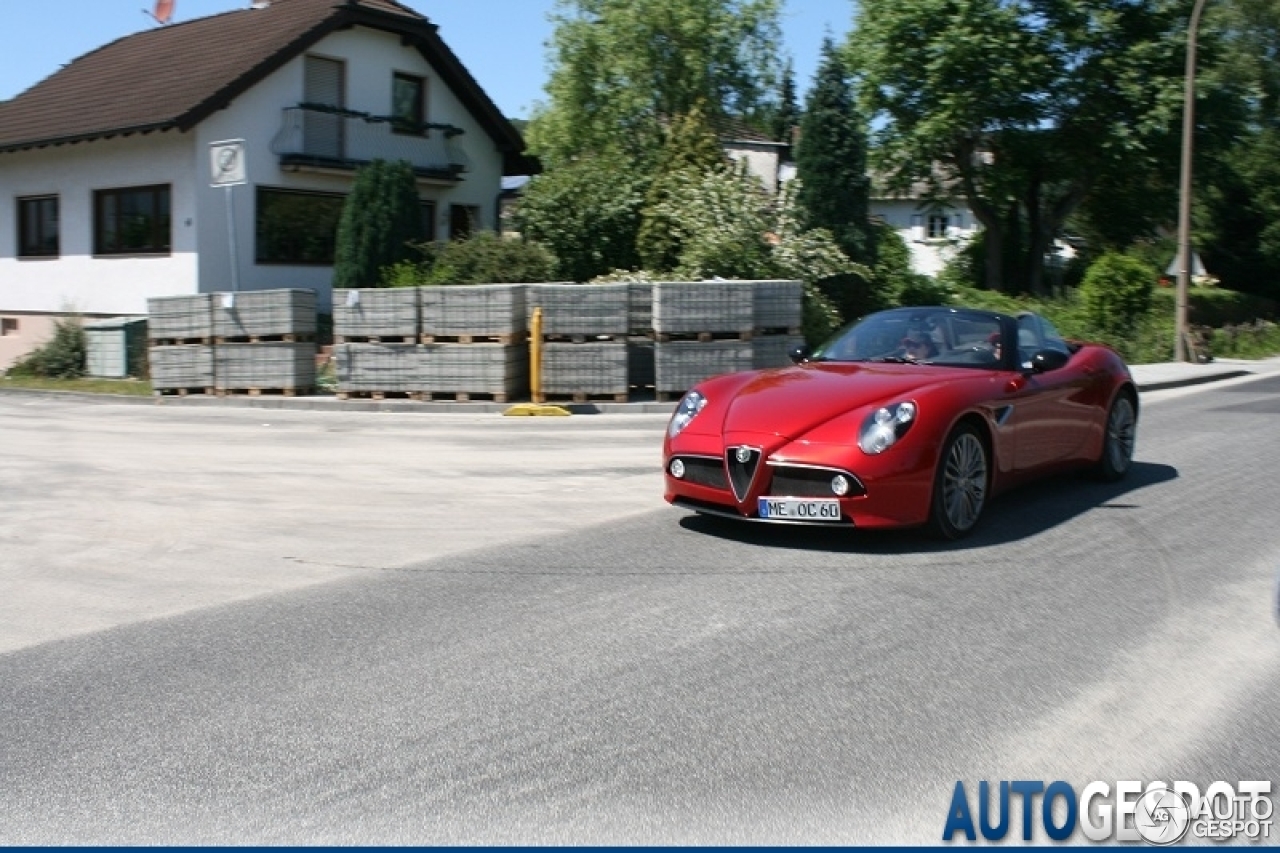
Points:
(175, 77)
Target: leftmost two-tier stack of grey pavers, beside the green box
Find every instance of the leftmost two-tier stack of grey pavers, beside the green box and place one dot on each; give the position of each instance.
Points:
(180, 346)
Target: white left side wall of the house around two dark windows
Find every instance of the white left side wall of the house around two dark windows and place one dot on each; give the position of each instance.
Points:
(77, 281)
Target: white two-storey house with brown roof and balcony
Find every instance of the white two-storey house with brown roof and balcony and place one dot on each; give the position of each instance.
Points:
(108, 168)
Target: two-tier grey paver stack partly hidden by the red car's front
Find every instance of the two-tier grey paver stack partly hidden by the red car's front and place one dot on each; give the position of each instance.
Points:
(701, 330)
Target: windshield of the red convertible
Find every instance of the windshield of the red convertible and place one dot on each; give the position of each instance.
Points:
(920, 336)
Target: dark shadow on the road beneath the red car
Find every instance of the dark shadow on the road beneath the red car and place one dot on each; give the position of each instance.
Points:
(1016, 516)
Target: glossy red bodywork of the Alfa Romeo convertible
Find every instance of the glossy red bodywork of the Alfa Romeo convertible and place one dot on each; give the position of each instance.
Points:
(810, 417)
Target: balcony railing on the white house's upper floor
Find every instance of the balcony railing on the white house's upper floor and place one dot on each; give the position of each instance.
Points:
(326, 138)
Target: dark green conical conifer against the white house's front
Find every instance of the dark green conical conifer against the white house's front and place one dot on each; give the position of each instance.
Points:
(381, 218)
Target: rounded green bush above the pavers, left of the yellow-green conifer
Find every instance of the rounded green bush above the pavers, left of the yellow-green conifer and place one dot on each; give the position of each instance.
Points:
(588, 213)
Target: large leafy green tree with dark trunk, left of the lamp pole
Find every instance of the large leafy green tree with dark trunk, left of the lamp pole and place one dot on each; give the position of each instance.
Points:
(1021, 107)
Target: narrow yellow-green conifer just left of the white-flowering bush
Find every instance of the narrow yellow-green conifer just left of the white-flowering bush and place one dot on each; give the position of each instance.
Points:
(692, 150)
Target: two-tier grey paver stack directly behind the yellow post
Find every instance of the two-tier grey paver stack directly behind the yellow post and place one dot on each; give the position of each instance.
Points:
(586, 330)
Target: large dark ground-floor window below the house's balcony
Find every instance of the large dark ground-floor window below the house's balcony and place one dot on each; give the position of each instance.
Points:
(296, 227)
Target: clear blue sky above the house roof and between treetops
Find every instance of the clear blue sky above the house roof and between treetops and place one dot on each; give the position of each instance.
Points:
(502, 43)
